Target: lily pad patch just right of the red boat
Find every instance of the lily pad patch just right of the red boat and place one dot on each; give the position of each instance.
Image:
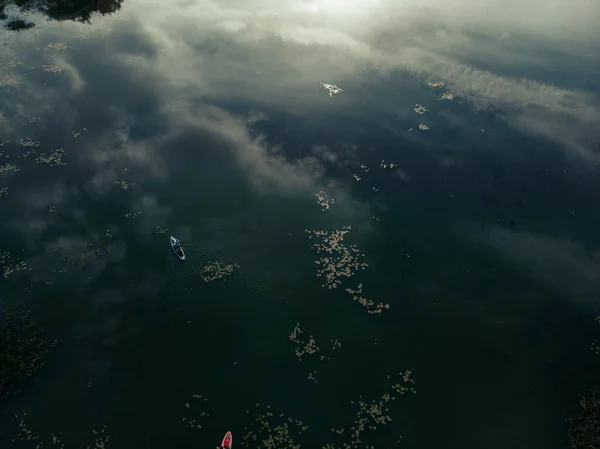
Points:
(269, 430)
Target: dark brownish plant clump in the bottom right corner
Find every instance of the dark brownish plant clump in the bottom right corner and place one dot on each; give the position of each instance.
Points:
(584, 430)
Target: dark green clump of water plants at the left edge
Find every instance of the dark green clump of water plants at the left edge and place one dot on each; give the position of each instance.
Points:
(23, 350)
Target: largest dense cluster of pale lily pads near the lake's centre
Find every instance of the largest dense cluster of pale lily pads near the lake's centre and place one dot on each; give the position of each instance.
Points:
(340, 261)
